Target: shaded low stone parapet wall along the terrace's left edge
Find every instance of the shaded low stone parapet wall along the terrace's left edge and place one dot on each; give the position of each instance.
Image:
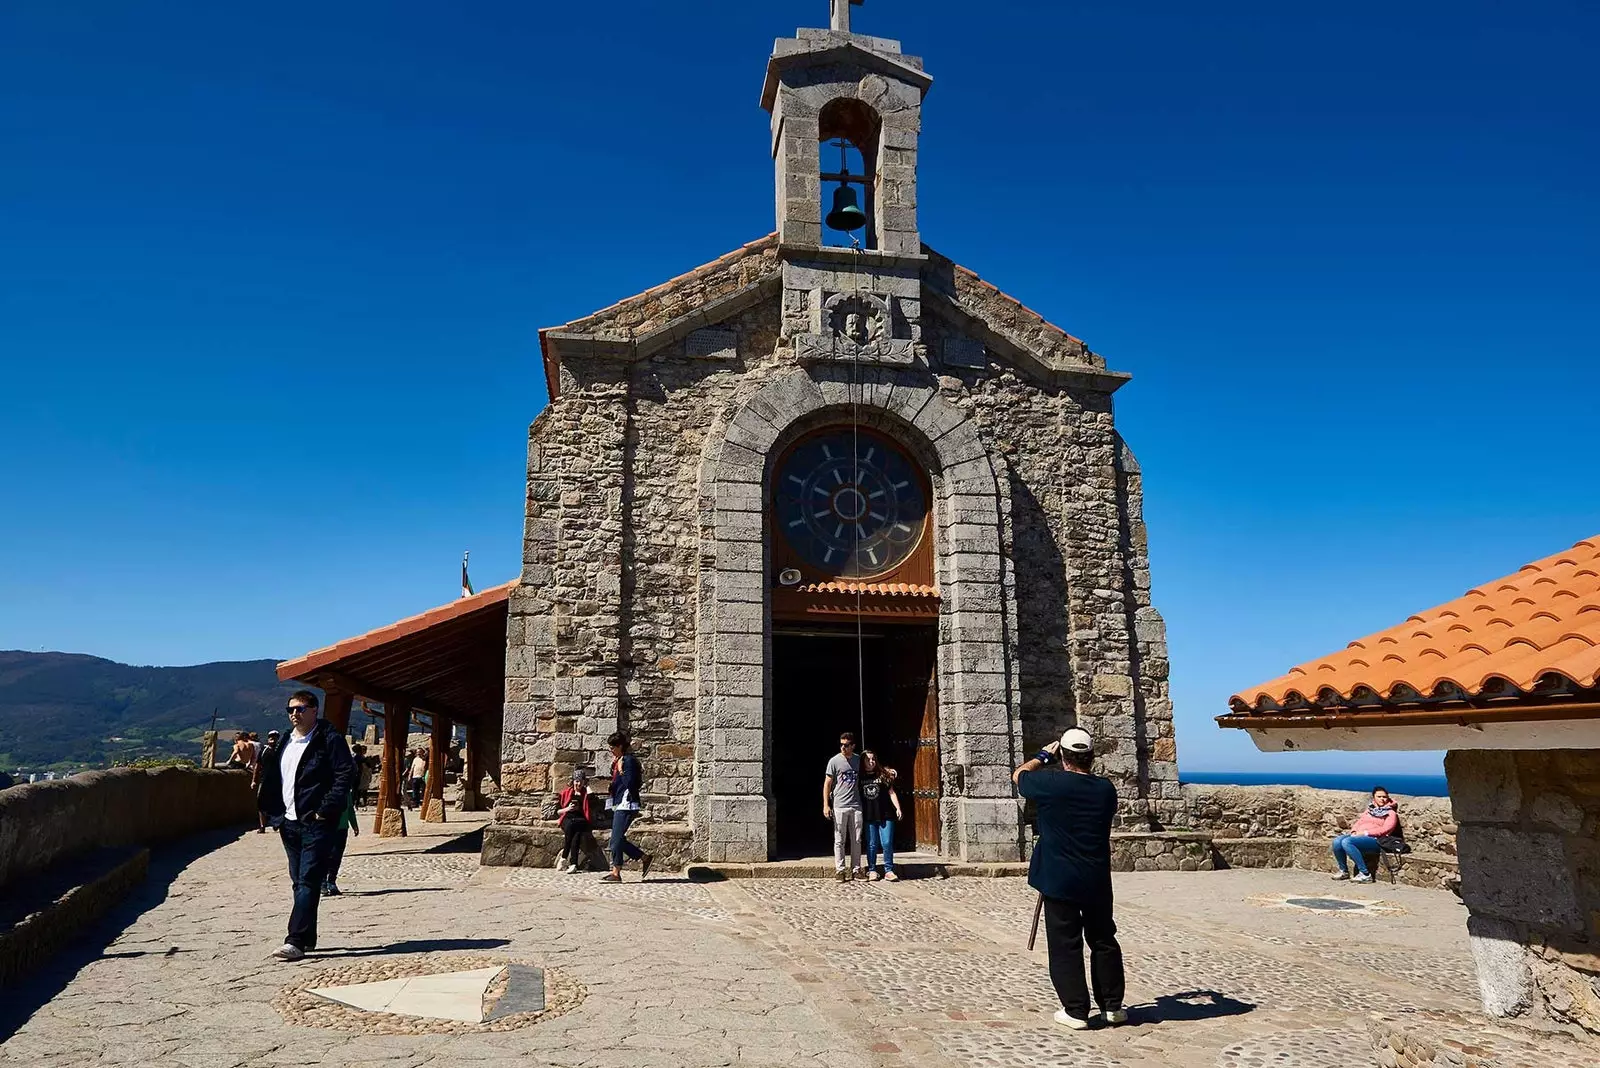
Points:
(49, 823)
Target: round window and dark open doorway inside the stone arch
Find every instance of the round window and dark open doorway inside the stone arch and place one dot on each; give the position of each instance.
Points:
(854, 621)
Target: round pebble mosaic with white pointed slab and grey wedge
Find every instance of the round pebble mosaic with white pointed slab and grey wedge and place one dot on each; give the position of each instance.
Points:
(374, 997)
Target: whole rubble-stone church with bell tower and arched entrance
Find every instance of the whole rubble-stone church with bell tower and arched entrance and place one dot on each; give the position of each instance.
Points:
(831, 482)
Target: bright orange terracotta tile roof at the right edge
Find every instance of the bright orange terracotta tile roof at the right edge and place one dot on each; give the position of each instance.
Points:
(1537, 626)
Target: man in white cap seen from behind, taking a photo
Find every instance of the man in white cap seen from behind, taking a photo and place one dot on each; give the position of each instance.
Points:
(1071, 871)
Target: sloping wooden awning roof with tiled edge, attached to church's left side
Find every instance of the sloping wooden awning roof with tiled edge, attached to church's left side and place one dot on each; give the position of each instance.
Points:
(449, 661)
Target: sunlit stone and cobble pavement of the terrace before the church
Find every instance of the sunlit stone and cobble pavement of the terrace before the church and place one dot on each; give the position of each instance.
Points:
(756, 973)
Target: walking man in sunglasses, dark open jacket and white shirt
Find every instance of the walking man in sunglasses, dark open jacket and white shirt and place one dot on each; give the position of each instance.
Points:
(306, 781)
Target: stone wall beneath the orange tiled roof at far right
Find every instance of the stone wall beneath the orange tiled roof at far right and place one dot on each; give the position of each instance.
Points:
(1530, 875)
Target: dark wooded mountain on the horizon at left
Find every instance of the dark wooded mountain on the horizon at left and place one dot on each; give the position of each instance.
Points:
(63, 711)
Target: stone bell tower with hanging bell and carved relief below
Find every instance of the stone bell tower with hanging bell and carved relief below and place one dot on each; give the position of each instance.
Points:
(847, 113)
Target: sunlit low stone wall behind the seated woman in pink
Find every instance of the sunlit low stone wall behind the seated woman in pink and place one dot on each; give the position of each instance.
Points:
(1292, 827)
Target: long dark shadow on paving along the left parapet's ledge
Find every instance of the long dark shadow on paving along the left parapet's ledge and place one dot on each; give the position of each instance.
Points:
(34, 990)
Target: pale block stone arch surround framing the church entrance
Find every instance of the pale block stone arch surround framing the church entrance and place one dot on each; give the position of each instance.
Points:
(977, 693)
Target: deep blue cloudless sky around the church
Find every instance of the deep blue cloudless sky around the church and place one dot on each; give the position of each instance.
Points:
(271, 282)
